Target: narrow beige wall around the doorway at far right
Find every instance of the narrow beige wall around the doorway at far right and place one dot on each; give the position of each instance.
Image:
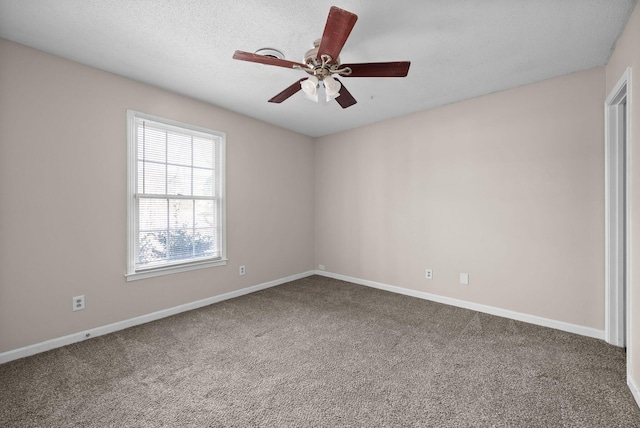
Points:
(627, 54)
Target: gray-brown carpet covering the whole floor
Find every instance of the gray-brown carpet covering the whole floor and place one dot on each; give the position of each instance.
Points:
(318, 352)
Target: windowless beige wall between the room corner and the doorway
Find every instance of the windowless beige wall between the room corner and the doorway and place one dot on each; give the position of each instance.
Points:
(506, 187)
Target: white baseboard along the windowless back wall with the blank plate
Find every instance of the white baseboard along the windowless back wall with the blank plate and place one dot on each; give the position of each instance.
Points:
(531, 319)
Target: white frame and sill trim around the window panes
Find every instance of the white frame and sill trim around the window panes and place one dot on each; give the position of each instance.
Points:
(132, 189)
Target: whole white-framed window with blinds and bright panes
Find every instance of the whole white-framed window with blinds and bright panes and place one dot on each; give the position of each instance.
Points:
(175, 196)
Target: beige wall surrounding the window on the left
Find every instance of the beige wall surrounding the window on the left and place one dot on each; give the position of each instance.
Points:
(63, 207)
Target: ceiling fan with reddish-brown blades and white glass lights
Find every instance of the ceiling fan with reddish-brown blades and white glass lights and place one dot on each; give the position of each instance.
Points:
(323, 61)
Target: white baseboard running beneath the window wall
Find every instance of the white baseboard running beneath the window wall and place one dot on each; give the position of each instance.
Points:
(121, 325)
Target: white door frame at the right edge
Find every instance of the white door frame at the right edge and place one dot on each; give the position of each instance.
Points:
(617, 212)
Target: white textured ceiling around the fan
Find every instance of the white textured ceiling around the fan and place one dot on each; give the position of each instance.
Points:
(458, 49)
